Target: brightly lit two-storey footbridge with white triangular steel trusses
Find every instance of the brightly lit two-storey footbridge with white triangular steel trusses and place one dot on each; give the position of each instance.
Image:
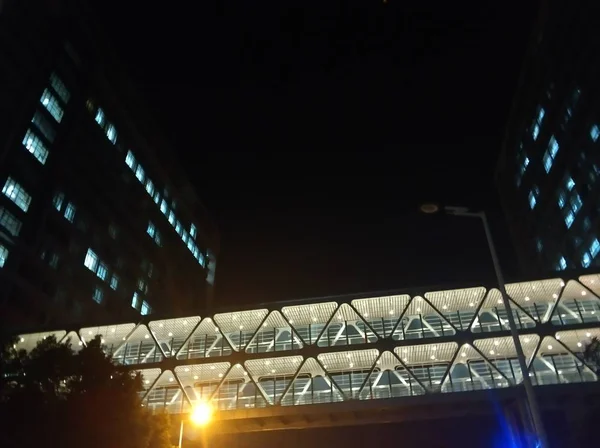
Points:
(357, 349)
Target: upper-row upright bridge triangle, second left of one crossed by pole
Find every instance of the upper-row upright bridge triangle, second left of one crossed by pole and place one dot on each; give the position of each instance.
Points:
(346, 328)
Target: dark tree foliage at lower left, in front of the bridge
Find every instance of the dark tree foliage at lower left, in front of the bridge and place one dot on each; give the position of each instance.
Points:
(54, 396)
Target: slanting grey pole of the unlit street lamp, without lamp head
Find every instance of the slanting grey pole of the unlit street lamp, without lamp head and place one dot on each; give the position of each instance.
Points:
(531, 398)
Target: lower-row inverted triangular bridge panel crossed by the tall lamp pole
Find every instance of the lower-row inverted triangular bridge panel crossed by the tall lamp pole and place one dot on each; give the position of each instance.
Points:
(502, 354)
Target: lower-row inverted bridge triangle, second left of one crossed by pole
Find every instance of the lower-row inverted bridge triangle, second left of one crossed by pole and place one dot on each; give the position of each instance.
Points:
(349, 369)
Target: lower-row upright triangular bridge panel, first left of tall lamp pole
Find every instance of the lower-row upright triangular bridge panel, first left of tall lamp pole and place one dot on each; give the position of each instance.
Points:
(471, 371)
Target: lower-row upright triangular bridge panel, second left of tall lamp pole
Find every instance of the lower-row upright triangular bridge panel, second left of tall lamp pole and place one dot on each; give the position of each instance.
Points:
(390, 379)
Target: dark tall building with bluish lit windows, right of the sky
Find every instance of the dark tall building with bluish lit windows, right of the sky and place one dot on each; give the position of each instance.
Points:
(550, 163)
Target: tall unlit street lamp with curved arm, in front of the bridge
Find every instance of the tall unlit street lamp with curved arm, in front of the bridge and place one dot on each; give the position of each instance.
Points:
(529, 392)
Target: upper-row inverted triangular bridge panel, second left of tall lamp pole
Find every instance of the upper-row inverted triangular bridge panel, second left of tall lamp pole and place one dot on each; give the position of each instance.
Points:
(382, 313)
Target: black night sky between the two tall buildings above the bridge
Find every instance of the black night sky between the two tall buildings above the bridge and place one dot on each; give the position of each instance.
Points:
(312, 131)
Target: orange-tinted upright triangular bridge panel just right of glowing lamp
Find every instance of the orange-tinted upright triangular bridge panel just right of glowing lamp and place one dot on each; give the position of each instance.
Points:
(238, 391)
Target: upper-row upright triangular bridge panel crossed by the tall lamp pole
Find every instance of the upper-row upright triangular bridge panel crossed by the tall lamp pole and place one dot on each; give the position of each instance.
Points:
(492, 315)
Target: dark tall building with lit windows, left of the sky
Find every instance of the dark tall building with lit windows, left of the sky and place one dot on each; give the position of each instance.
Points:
(96, 218)
